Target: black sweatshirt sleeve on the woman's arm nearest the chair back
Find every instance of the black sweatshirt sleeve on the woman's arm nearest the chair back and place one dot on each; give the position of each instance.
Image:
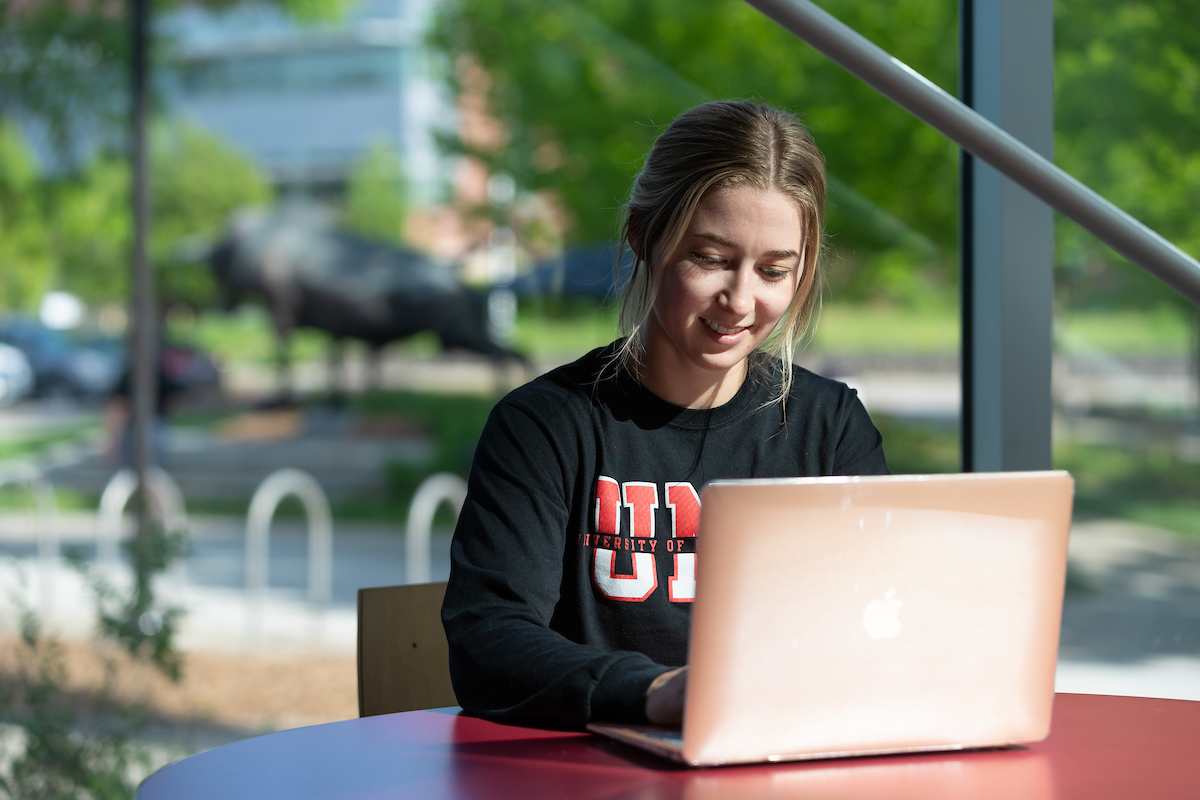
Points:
(506, 572)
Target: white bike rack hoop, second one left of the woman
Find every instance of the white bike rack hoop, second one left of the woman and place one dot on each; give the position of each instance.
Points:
(268, 496)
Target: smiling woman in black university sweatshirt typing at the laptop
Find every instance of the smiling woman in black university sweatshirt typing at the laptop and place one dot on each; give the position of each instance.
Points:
(574, 562)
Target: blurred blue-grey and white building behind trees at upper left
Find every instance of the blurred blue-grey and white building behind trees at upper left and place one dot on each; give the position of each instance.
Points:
(307, 101)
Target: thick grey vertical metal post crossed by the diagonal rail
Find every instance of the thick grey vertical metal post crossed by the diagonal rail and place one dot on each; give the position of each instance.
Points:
(1007, 242)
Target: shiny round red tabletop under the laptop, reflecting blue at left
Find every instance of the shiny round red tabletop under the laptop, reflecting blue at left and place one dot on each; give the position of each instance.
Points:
(1100, 748)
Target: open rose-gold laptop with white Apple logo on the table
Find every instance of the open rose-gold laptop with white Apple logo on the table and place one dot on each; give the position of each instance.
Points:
(862, 616)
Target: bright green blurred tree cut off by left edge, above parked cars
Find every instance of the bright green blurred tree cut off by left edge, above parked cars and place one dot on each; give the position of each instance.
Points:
(25, 255)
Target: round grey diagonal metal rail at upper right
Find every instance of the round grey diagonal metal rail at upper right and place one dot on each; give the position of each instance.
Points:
(983, 140)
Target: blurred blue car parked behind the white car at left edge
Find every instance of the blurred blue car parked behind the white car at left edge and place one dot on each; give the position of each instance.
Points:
(62, 366)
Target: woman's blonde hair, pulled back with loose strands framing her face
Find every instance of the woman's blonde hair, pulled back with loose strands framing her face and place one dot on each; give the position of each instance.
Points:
(719, 146)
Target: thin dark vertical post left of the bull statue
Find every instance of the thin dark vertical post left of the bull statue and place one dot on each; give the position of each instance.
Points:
(143, 351)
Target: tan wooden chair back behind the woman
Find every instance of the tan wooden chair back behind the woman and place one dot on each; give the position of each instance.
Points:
(404, 658)
